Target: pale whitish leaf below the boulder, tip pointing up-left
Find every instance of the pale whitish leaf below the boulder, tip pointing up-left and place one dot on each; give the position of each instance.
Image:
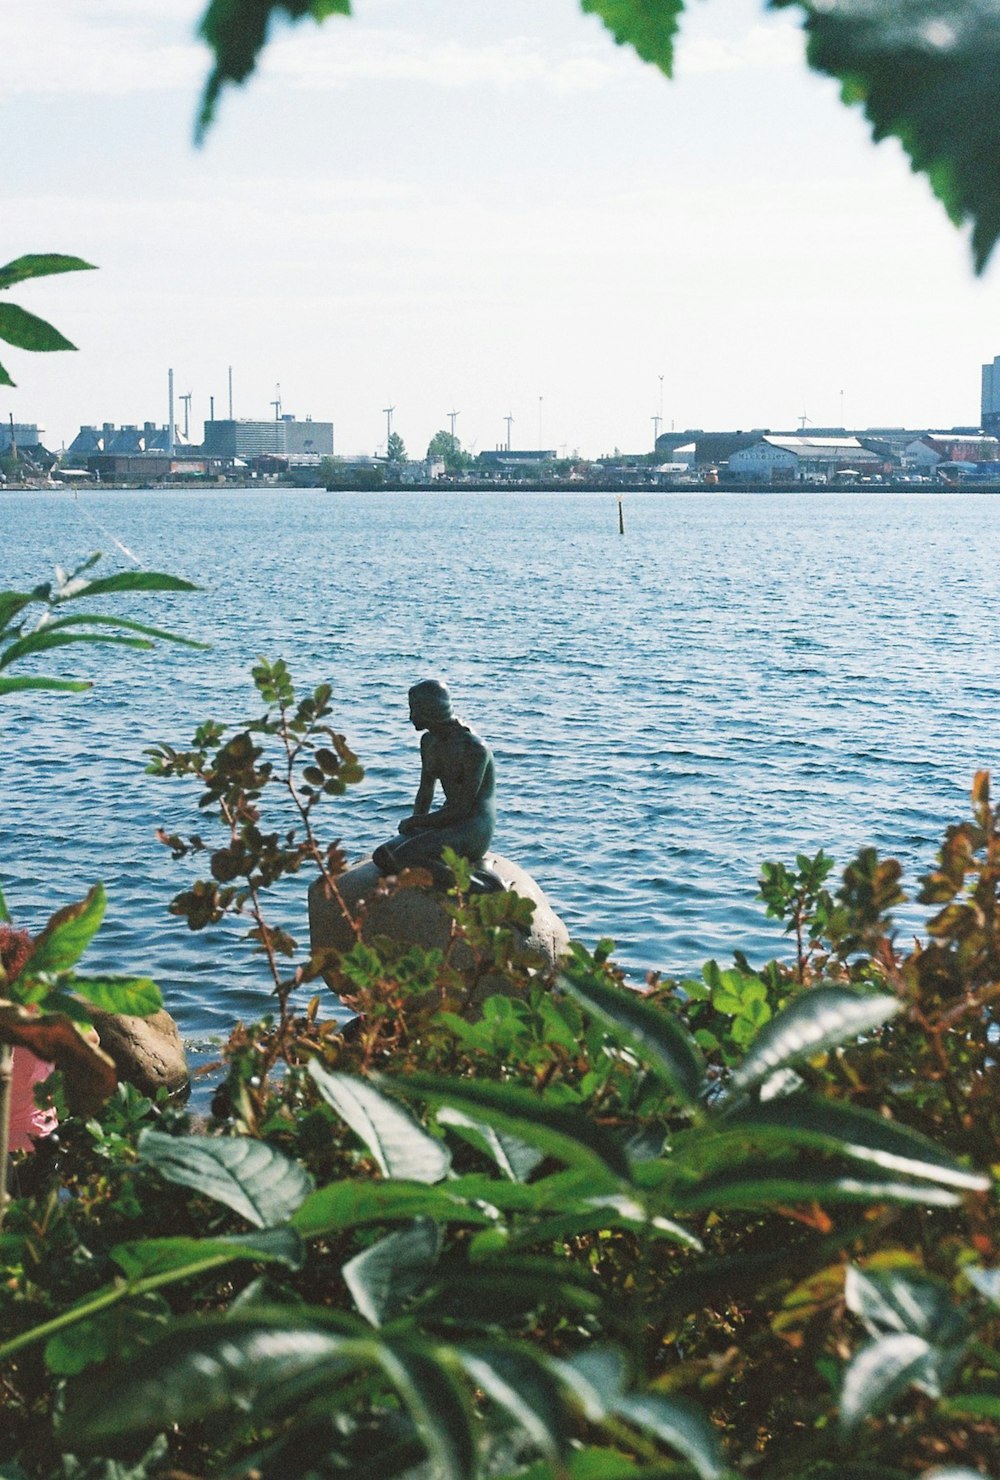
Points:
(400, 1146)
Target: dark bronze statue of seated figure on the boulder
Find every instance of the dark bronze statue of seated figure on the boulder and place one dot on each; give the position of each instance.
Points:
(453, 756)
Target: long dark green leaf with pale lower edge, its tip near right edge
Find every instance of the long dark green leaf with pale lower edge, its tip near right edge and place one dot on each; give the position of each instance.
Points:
(844, 1130)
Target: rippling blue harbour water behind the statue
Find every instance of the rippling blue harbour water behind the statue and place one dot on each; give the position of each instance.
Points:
(740, 679)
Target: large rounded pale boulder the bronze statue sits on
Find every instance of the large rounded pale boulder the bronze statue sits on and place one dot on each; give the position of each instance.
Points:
(418, 918)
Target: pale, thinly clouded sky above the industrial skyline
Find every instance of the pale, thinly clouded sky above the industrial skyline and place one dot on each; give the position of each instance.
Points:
(474, 206)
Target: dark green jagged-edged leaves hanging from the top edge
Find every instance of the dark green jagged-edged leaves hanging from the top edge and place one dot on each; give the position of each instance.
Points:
(925, 73)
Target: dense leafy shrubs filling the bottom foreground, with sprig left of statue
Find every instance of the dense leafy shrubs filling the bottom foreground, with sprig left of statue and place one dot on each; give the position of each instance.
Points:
(732, 1226)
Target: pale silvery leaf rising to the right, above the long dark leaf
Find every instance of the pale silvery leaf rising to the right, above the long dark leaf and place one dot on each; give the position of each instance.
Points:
(814, 1022)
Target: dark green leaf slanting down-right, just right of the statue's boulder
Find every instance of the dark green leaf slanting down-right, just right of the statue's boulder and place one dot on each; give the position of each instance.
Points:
(661, 1043)
